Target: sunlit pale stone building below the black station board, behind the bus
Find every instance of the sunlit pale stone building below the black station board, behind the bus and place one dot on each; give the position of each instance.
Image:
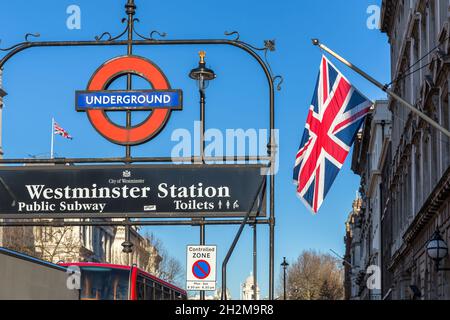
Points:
(83, 243)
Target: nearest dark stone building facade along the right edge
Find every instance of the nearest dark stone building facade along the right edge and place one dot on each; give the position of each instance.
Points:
(415, 188)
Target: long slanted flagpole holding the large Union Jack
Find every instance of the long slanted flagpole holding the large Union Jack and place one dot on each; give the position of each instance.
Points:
(385, 88)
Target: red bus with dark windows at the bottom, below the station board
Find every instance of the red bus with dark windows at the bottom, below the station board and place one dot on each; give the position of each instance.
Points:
(100, 281)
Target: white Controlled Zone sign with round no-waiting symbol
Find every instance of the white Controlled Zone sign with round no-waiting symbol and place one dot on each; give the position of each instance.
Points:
(201, 268)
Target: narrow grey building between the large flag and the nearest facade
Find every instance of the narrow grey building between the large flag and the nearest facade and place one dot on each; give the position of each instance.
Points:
(369, 157)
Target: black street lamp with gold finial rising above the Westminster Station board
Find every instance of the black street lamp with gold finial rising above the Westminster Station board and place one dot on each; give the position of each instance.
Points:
(202, 75)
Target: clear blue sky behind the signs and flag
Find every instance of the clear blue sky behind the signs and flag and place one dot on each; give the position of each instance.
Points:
(41, 84)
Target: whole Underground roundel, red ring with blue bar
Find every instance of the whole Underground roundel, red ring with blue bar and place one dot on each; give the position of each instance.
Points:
(96, 100)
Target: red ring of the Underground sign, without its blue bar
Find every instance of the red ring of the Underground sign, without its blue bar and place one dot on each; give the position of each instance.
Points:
(149, 127)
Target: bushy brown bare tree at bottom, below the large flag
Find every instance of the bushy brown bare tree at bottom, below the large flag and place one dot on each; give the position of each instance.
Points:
(315, 276)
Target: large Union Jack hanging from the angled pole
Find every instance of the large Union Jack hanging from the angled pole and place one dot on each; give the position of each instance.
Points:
(336, 113)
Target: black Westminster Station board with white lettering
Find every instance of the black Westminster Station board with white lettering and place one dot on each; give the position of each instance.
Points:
(131, 191)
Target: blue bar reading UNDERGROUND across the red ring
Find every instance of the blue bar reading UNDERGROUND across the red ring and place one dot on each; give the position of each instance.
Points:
(123, 100)
